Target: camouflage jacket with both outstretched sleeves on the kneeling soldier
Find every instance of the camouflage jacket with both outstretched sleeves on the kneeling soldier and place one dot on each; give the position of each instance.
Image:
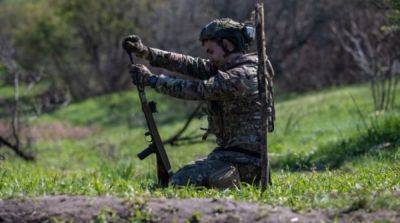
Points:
(231, 93)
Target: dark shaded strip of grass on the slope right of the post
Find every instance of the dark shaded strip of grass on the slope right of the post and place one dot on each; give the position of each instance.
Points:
(378, 137)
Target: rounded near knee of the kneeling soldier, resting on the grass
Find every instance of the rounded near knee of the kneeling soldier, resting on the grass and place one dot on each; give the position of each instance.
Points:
(226, 177)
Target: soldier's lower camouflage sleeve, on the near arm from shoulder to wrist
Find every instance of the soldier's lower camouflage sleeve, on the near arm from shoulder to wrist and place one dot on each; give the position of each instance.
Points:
(223, 86)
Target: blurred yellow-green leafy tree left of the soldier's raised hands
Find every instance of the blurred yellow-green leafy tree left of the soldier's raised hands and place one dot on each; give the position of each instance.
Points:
(77, 43)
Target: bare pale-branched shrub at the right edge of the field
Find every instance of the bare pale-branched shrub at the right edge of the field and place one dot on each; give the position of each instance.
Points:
(374, 51)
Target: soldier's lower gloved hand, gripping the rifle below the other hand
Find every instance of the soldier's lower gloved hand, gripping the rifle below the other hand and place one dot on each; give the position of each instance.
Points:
(142, 76)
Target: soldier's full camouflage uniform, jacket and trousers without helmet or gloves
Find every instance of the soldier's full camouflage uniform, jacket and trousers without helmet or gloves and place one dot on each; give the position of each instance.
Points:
(233, 111)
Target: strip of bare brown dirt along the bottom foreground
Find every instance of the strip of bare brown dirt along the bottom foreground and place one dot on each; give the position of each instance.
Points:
(85, 209)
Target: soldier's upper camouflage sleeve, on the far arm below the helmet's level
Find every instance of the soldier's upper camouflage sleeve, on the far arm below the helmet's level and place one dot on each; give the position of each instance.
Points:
(194, 67)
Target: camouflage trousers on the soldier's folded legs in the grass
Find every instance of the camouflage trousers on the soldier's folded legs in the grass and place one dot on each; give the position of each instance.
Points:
(219, 170)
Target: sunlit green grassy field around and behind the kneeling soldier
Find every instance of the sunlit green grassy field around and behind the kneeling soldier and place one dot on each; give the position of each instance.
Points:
(324, 153)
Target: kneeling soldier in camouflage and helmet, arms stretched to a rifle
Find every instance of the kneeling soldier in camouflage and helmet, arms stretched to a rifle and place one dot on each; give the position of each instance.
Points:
(227, 82)
